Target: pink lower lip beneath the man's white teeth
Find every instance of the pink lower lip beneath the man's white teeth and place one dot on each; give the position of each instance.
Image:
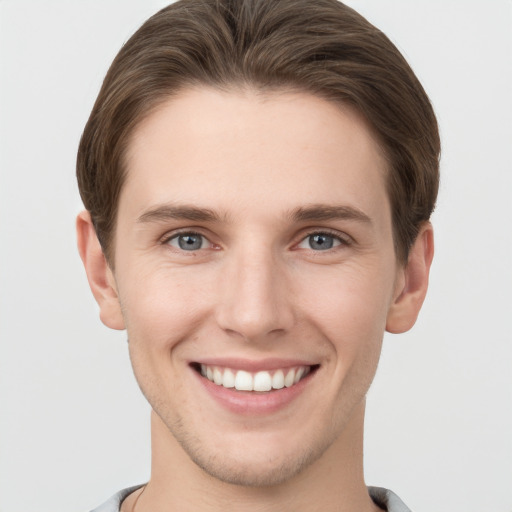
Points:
(253, 402)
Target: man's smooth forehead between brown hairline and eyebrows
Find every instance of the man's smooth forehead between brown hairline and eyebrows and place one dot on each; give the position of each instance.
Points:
(249, 153)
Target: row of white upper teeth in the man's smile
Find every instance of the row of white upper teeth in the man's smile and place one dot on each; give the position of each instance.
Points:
(260, 381)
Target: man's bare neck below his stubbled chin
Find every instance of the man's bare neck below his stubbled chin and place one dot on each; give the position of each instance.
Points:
(333, 482)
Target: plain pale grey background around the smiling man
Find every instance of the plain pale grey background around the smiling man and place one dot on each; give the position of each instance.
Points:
(74, 427)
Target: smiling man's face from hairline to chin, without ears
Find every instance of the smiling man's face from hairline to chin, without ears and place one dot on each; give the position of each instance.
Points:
(255, 269)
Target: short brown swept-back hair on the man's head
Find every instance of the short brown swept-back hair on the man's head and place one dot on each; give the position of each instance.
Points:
(322, 47)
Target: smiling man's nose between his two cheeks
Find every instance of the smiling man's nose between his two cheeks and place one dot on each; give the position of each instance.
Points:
(255, 302)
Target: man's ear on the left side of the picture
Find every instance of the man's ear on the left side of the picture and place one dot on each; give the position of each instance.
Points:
(100, 276)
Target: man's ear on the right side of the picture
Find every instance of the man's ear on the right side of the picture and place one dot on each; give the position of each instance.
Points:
(412, 283)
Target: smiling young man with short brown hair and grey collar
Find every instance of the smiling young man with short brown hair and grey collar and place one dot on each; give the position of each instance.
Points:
(258, 177)
